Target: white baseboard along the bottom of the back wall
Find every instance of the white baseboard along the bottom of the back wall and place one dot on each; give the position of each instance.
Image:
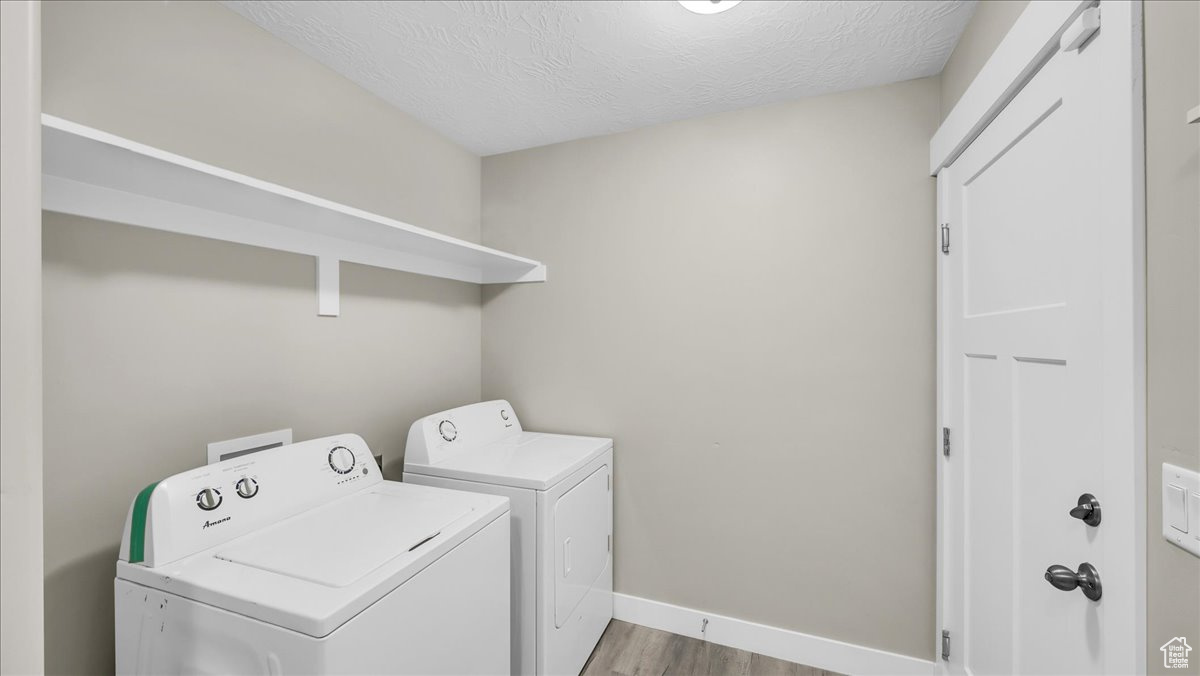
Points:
(772, 642)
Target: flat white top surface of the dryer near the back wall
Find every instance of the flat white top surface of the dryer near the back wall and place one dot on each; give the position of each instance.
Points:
(527, 460)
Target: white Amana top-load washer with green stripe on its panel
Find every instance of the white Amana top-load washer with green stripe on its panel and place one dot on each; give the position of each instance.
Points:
(303, 560)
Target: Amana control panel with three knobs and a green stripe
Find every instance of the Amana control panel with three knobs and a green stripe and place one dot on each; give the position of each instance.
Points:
(213, 505)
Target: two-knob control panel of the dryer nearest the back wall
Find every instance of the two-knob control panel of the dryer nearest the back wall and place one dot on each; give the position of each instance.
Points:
(437, 438)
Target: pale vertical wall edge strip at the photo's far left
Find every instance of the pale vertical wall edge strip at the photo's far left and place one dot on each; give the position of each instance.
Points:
(21, 339)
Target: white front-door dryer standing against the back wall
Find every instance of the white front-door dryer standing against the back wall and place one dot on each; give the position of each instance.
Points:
(561, 498)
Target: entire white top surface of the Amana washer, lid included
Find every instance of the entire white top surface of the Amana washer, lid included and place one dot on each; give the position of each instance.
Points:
(316, 571)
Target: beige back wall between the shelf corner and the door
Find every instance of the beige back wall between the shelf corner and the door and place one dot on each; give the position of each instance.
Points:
(746, 303)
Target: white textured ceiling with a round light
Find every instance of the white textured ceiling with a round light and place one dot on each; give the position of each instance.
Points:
(505, 76)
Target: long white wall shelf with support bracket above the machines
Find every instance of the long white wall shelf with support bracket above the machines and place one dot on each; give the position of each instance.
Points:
(87, 172)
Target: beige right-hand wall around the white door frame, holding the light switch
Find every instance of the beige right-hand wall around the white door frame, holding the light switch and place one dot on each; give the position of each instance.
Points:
(1173, 284)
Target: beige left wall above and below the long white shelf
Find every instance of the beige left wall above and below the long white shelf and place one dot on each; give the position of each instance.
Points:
(157, 344)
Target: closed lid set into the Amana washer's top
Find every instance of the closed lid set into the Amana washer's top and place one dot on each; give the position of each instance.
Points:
(338, 546)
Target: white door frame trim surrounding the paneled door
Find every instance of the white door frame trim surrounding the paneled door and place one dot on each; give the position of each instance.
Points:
(1031, 43)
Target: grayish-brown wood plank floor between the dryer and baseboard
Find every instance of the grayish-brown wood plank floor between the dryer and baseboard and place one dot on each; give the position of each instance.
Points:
(631, 650)
